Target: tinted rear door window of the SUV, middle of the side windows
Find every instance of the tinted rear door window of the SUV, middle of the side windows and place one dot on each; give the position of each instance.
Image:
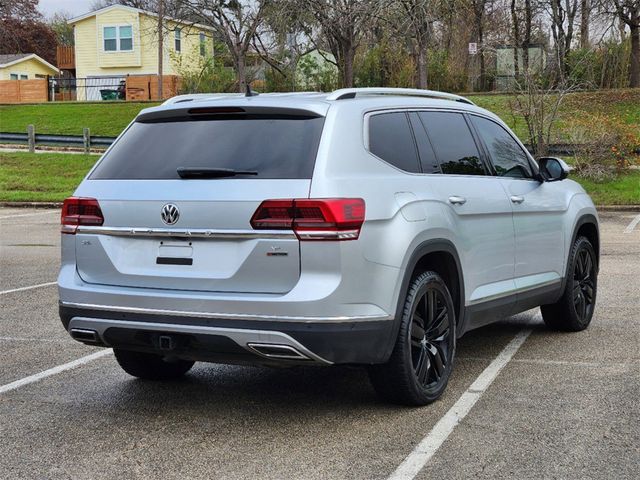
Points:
(452, 141)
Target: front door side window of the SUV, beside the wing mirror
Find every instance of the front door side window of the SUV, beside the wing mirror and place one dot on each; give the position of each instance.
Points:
(506, 155)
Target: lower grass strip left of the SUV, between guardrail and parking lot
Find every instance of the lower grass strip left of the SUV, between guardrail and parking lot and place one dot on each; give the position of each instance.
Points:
(41, 177)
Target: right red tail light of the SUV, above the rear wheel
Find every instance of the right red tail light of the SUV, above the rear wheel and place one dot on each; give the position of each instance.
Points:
(312, 219)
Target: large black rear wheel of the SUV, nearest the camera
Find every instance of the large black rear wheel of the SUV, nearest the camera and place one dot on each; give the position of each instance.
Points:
(422, 359)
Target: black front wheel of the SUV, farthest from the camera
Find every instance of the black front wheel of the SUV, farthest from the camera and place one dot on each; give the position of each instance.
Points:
(574, 310)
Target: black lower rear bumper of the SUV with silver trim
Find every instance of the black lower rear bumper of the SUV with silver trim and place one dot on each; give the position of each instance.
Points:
(217, 338)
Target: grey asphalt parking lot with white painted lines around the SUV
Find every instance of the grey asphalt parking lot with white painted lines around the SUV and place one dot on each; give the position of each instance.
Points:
(563, 406)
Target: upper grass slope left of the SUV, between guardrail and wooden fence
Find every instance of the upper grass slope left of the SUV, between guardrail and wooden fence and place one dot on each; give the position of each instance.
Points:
(69, 118)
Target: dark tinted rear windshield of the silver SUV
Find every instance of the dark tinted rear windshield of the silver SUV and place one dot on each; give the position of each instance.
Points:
(274, 147)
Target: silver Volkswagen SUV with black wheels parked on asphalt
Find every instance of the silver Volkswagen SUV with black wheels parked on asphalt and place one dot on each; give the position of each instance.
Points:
(364, 226)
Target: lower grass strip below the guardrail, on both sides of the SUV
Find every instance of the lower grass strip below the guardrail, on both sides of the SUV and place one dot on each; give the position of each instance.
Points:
(54, 176)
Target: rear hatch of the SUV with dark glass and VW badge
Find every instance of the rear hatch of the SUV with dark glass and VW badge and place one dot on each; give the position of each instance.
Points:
(177, 193)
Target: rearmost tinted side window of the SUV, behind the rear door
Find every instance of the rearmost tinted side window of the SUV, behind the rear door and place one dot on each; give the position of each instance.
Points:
(390, 139)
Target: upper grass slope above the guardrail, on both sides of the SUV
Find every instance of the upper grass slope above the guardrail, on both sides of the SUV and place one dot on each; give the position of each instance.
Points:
(110, 118)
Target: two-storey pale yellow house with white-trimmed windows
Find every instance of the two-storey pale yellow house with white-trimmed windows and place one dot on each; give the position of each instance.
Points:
(116, 41)
